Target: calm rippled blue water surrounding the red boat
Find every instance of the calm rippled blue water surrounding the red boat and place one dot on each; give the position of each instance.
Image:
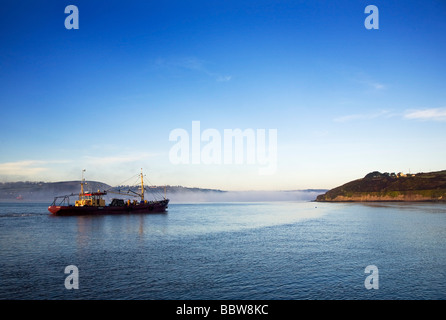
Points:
(277, 250)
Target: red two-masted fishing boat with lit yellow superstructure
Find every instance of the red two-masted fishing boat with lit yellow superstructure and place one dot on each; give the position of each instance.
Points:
(92, 203)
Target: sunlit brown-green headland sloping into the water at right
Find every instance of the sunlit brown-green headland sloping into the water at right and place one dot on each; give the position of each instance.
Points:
(377, 186)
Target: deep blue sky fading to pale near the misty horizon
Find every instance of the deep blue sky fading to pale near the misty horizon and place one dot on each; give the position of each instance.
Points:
(129, 87)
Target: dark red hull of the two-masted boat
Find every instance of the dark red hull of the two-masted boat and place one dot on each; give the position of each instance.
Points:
(150, 207)
